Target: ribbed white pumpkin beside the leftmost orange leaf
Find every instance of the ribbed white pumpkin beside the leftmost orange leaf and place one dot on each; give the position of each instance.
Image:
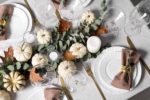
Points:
(23, 52)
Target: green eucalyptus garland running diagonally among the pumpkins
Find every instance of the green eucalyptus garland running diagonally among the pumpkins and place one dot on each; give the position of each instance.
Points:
(61, 42)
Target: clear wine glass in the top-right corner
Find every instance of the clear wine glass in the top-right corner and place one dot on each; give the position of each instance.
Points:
(139, 17)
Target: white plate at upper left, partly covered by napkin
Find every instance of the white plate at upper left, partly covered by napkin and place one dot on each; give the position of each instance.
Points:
(20, 23)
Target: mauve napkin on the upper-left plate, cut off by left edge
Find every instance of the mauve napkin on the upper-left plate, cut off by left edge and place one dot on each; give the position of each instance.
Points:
(5, 14)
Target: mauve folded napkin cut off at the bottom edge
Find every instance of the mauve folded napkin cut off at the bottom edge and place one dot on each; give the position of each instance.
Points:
(53, 94)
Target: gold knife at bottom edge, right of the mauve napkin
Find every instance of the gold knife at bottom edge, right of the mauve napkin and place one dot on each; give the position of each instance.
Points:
(65, 90)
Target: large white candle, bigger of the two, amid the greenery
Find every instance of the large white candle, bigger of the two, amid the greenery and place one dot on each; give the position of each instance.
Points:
(93, 44)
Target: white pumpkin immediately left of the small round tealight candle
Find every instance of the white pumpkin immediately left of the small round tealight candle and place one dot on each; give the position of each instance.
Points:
(39, 59)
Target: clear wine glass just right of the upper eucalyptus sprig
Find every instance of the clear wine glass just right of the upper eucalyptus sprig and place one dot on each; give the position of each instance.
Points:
(113, 20)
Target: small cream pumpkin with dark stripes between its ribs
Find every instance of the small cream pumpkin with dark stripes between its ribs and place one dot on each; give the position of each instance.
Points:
(14, 81)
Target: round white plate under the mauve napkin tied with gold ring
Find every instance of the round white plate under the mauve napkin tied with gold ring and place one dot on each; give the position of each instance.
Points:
(108, 65)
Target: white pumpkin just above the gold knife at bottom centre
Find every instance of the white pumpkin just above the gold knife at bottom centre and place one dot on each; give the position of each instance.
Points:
(67, 68)
